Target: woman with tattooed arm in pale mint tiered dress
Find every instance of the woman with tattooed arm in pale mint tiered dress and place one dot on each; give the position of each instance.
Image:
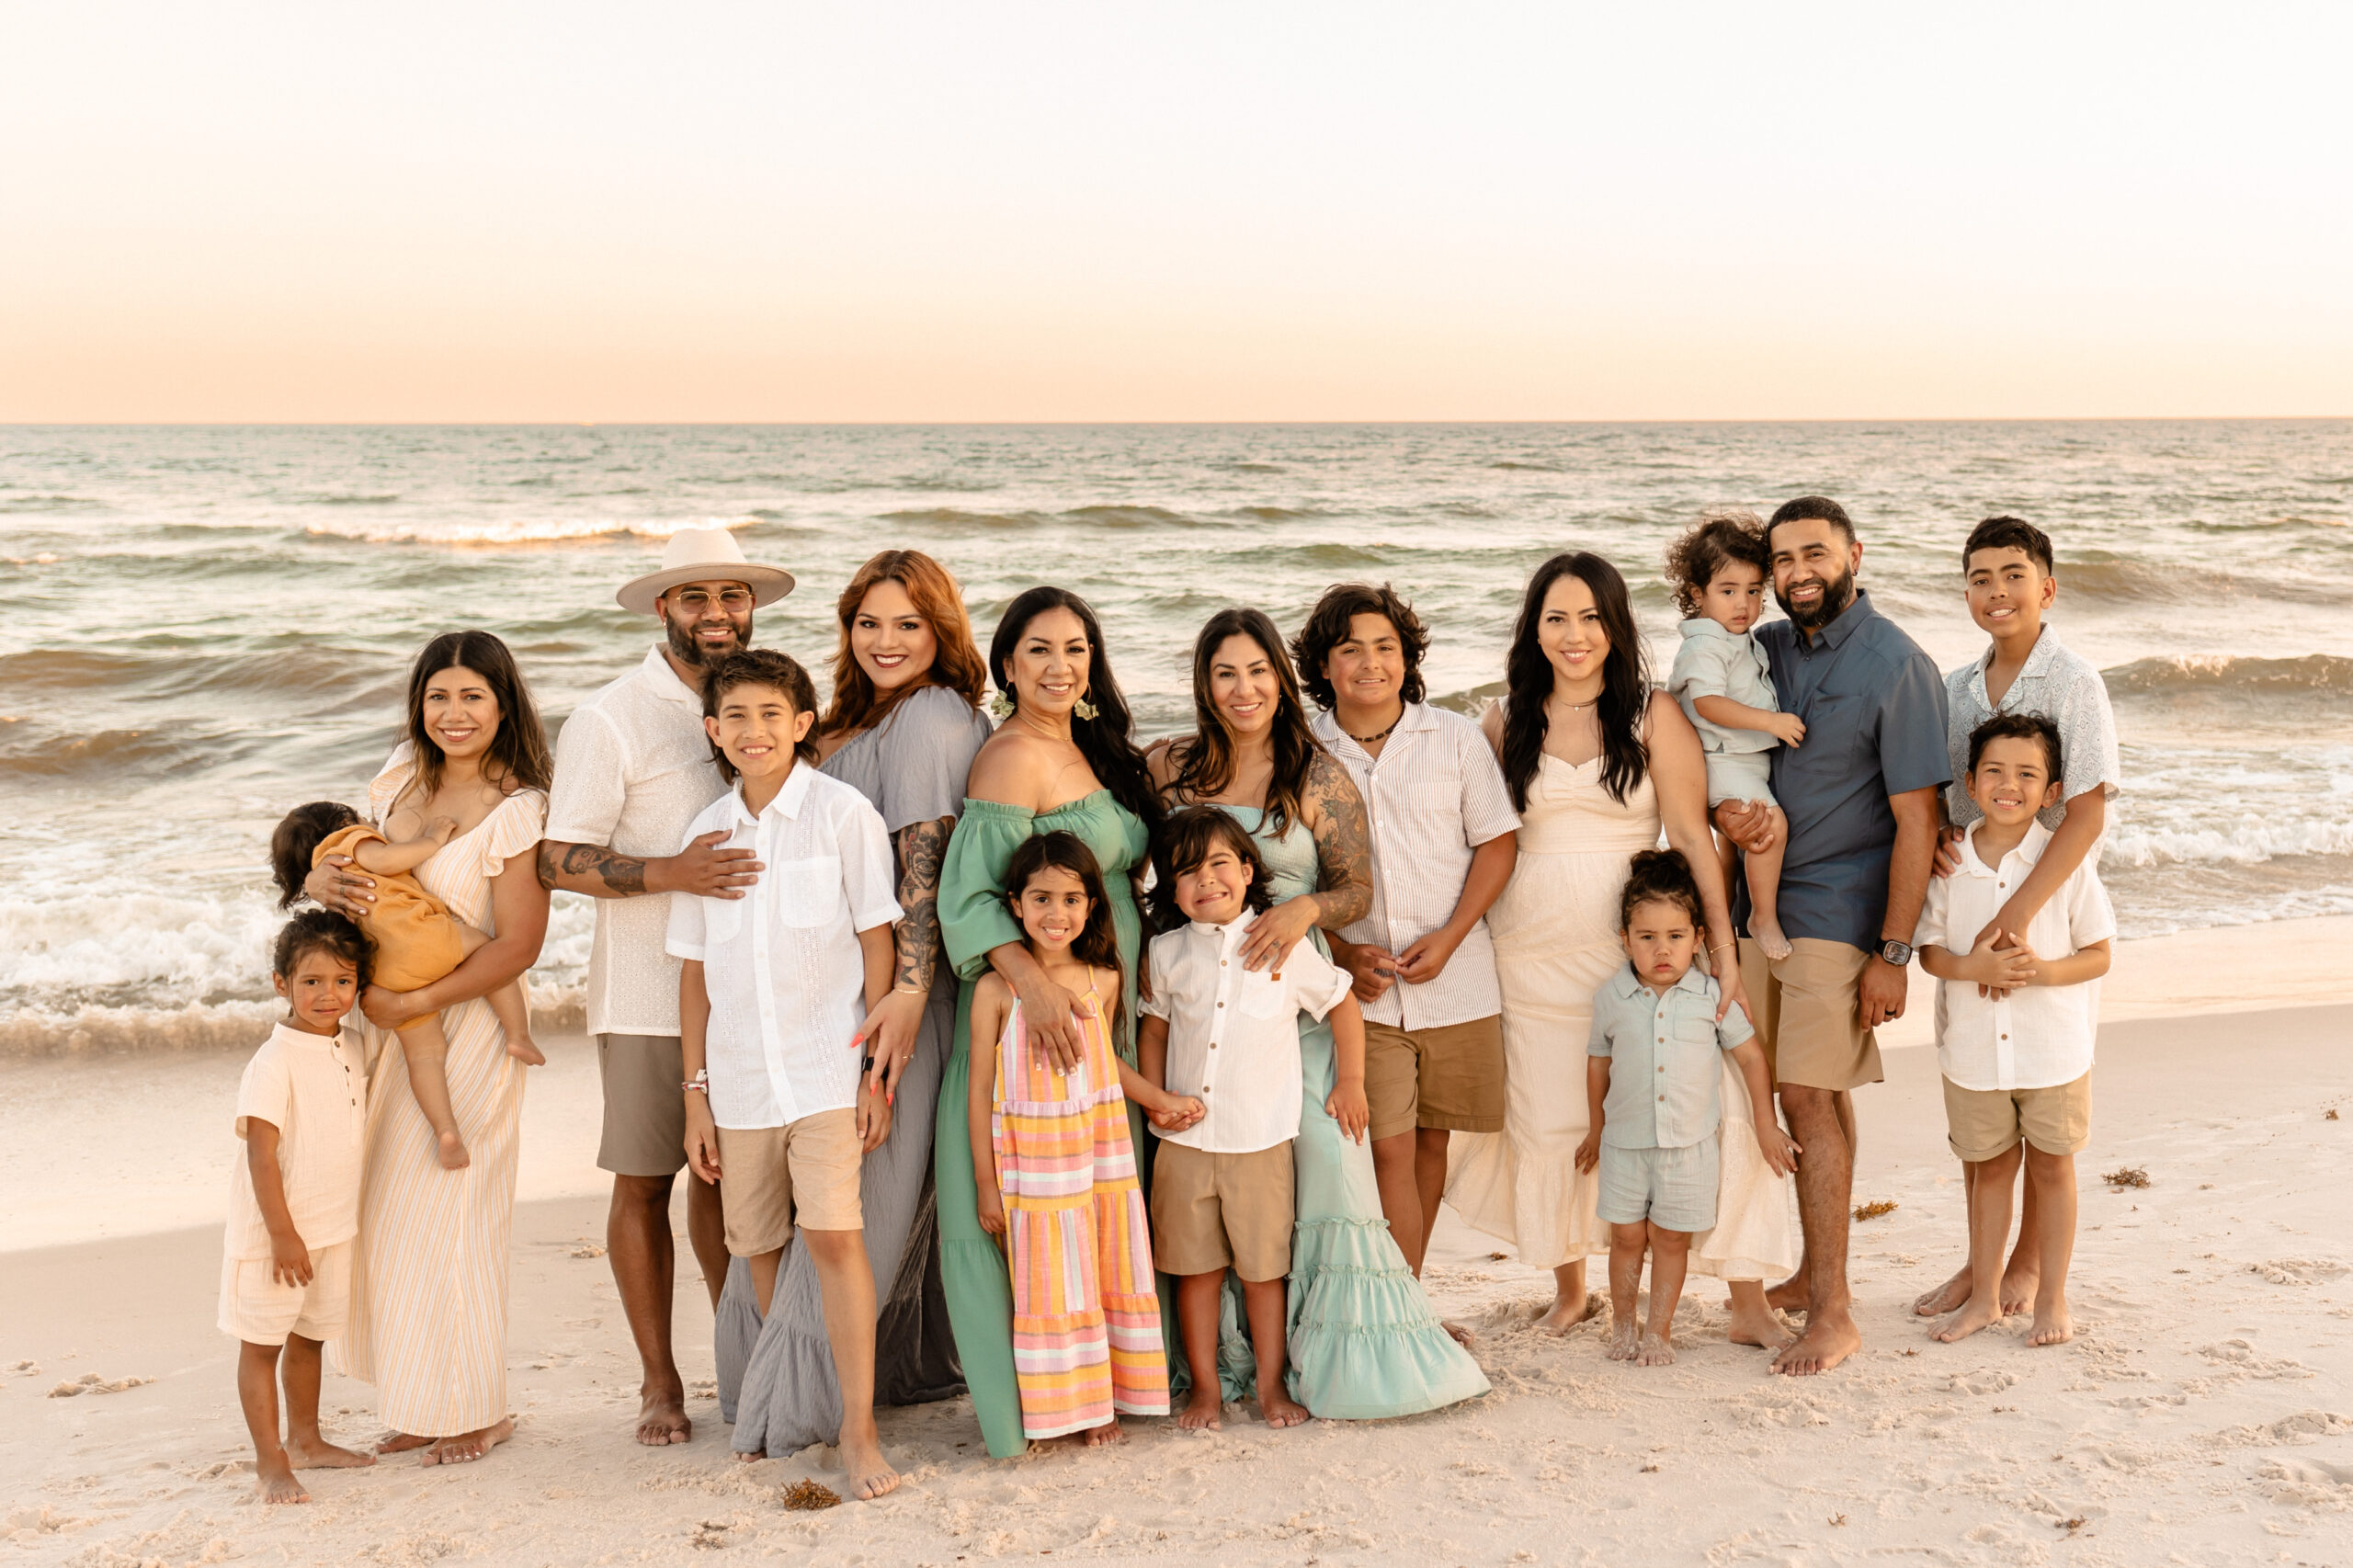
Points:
(1361, 1334)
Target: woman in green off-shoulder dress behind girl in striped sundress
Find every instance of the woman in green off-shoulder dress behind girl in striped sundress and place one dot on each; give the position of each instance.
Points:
(1062, 762)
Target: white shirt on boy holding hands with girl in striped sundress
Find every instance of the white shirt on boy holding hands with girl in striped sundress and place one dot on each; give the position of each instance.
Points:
(1234, 1032)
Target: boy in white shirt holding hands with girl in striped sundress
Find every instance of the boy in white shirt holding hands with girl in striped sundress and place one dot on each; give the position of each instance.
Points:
(1229, 1035)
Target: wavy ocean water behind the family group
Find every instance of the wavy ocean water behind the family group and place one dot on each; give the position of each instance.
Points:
(204, 627)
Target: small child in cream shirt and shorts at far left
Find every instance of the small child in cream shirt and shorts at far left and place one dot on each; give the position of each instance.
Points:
(295, 1200)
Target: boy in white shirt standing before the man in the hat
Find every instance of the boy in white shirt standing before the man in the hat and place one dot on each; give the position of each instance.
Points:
(773, 992)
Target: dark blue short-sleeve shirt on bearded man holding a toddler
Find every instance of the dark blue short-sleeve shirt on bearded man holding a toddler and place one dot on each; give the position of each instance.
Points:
(1874, 715)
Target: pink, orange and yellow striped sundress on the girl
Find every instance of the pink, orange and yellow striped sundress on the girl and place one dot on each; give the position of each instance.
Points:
(1086, 1303)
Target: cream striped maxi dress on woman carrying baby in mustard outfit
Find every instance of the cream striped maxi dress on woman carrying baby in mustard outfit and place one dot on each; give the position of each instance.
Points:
(432, 1270)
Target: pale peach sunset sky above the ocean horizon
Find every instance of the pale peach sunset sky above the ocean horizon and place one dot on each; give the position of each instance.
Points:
(1131, 213)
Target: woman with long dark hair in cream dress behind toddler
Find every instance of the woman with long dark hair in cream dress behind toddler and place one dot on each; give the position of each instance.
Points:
(1597, 764)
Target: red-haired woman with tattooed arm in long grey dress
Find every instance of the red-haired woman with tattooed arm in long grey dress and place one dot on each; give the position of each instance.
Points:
(902, 731)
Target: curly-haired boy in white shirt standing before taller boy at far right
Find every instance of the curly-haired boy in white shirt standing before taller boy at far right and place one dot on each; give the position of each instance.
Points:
(2015, 1016)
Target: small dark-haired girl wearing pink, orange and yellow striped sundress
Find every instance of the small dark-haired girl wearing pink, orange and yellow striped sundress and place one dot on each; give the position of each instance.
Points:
(1058, 1169)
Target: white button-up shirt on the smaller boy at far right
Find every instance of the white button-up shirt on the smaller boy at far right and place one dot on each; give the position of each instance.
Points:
(2039, 1037)
